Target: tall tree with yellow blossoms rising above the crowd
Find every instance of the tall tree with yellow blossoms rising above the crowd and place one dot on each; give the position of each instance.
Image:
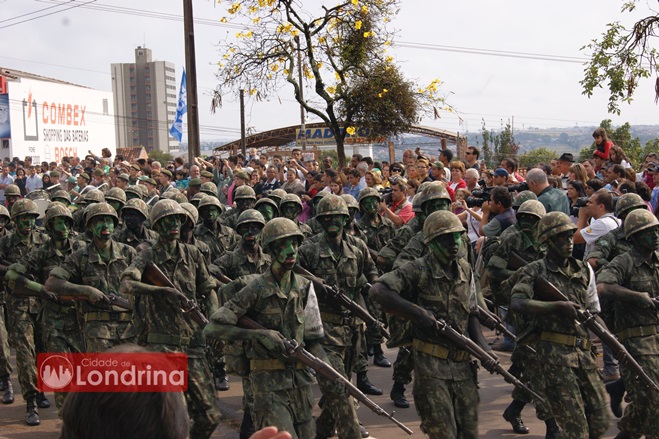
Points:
(342, 56)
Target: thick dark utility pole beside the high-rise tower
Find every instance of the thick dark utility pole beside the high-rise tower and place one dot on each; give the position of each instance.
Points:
(194, 146)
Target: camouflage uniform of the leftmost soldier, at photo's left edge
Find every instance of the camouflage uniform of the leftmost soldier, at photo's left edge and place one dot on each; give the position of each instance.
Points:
(23, 322)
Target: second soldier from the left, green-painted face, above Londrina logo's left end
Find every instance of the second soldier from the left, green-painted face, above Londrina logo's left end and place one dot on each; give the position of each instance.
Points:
(60, 327)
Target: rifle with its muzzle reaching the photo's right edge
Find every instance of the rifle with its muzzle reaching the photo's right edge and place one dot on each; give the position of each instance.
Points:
(545, 290)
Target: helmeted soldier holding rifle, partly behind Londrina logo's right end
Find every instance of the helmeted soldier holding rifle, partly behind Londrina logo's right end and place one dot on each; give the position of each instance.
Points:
(169, 329)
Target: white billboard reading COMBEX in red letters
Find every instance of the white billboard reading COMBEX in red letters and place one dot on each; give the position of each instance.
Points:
(50, 121)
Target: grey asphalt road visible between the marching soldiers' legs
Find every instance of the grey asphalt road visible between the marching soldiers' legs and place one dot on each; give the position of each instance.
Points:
(494, 393)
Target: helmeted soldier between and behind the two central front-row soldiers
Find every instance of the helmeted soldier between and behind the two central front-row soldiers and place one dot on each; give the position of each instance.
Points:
(346, 264)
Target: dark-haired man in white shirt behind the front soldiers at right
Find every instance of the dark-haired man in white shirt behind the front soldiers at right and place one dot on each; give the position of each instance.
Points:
(596, 219)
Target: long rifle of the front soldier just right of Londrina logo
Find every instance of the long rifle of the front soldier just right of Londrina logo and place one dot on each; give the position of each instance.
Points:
(298, 352)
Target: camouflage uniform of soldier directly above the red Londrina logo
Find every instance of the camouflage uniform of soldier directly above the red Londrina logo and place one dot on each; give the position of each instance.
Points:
(105, 326)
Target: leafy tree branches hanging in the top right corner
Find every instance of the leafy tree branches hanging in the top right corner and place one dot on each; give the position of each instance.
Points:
(621, 57)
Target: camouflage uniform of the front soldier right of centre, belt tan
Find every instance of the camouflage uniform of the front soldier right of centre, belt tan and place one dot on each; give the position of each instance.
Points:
(445, 393)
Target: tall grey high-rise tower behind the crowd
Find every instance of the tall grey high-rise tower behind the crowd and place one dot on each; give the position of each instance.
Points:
(145, 97)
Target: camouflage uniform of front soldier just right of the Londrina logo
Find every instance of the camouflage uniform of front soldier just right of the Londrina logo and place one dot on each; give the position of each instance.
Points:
(282, 389)
